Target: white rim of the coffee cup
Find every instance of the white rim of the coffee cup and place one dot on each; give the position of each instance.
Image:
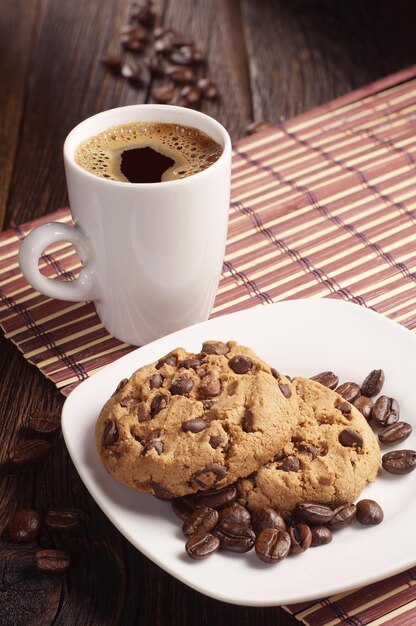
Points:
(70, 160)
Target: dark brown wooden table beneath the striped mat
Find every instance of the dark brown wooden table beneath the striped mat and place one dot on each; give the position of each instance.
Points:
(270, 58)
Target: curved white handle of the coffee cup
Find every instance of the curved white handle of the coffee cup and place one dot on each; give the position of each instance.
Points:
(31, 249)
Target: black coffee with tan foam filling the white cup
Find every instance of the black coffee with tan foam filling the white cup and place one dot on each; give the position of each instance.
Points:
(147, 152)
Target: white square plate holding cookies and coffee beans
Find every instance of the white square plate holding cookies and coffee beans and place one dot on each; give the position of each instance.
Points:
(298, 337)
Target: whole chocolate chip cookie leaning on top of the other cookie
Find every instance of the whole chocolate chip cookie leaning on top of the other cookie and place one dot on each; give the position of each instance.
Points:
(191, 422)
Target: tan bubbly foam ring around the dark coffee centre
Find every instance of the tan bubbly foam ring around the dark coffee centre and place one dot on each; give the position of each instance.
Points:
(191, 149)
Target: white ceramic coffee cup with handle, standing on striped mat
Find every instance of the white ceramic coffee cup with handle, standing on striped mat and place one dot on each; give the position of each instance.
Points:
(152, 252)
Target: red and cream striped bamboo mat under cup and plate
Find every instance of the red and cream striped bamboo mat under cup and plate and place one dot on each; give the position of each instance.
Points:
(322, 205)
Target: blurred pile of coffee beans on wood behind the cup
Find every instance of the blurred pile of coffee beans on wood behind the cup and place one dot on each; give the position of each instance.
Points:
(150, 51)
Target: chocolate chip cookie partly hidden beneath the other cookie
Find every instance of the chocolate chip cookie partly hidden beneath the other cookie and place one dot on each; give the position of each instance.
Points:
(330, 459)
